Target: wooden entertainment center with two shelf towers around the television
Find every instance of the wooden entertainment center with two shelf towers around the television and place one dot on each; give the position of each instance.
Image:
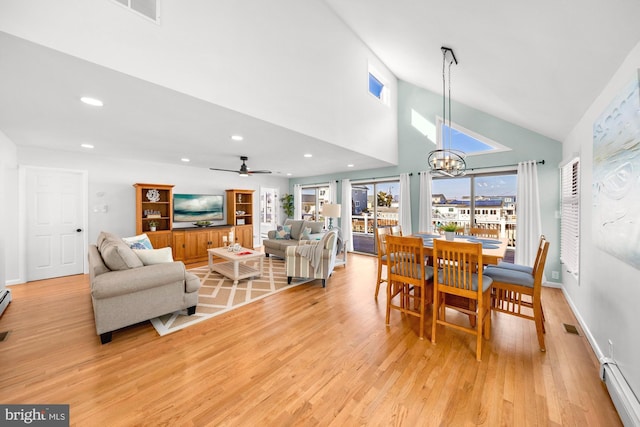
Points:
(154, 203)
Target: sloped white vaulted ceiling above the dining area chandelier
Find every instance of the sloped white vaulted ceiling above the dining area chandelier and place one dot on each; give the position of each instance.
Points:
(538, 64)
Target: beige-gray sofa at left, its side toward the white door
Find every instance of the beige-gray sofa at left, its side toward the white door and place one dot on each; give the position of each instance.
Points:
(124, 291)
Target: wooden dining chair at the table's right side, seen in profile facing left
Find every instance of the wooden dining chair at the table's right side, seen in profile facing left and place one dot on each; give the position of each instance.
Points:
(513, 290)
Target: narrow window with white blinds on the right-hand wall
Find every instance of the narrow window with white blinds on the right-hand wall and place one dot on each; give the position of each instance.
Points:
(570, 216)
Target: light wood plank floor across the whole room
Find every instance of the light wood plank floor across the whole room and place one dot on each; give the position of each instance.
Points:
(307, 356)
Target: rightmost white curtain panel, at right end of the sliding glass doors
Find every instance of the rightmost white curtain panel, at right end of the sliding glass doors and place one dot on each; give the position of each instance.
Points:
(528, 224)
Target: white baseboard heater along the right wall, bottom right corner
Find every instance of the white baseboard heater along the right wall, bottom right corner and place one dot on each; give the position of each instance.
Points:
(623, 397)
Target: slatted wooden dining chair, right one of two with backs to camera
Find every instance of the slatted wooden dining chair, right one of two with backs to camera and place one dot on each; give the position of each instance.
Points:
(455, 276)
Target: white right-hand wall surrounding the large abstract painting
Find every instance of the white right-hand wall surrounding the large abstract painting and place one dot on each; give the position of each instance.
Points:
(607, 293)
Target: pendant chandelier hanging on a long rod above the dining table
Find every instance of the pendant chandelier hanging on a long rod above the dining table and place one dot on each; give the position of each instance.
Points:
(445, 161)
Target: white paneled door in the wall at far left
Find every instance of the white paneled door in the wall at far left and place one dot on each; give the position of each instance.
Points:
(55, 223)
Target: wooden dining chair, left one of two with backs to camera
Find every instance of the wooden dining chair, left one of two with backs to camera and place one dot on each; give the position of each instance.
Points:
(410, 280)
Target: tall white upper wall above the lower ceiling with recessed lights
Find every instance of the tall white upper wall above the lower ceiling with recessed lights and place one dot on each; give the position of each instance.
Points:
(288, 62)
